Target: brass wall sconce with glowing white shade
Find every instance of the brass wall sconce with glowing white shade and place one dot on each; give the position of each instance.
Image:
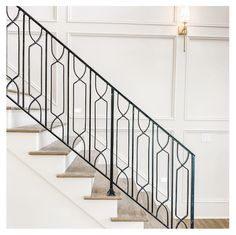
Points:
(184, 19)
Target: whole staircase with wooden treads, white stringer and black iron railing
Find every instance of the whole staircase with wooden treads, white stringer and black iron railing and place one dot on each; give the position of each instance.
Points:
(150, 185)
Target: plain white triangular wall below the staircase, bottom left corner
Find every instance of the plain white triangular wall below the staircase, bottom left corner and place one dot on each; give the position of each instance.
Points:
(32, 202)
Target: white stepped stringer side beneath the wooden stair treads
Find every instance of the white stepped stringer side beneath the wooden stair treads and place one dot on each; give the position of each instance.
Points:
(74, 189)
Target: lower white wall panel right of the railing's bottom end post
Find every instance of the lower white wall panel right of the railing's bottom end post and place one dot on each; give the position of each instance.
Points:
(212, 169)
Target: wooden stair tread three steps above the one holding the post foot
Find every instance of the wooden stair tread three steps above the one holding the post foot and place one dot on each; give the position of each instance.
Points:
(36, 128)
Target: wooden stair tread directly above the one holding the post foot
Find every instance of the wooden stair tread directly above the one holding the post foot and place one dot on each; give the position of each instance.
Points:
(78, 169)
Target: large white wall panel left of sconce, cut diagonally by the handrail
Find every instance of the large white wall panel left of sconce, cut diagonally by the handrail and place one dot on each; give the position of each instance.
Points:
(128, 53)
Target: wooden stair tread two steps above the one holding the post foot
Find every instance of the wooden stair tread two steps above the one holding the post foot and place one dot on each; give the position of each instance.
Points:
(55, 148)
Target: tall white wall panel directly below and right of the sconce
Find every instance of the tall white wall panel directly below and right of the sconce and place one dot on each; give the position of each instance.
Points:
(206, 92)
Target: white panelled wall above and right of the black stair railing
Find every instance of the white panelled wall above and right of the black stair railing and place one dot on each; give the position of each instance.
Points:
(137, 49)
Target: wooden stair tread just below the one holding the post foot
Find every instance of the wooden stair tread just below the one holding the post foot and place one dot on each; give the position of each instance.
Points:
(128, 210)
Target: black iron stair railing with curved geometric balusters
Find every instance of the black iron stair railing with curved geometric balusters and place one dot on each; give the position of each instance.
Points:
(152, 168)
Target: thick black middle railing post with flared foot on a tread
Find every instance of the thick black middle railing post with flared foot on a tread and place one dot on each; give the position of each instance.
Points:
(111, 191)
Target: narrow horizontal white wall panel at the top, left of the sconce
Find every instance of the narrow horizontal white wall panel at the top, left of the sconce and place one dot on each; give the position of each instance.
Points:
(148, 15)
